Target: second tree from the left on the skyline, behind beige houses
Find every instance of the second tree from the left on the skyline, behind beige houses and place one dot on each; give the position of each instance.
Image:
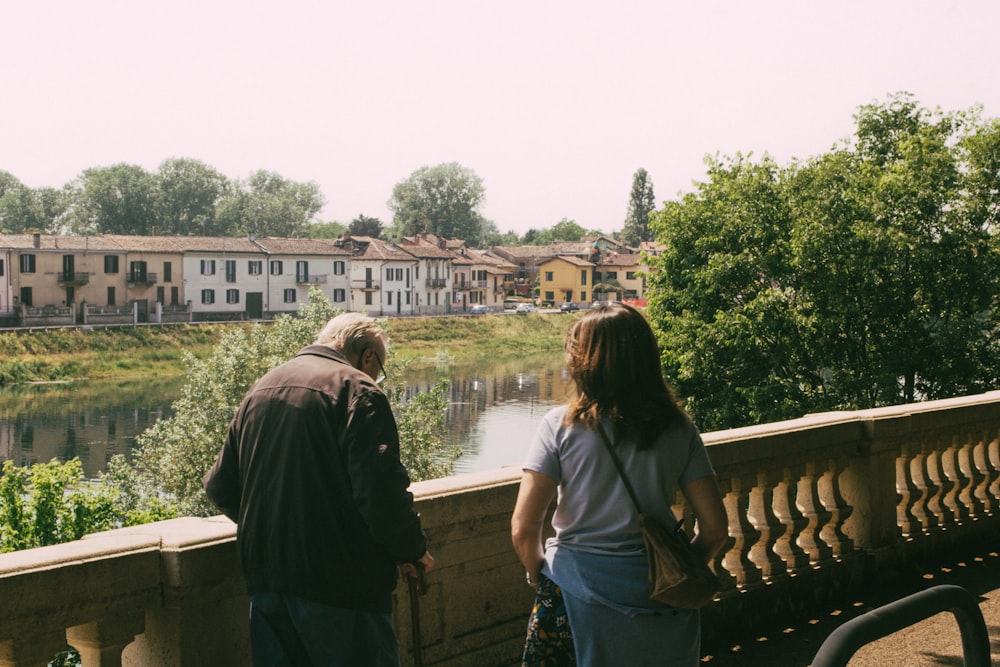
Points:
(120, 199)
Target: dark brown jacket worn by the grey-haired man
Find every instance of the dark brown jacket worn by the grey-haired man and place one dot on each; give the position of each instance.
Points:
(310, 472)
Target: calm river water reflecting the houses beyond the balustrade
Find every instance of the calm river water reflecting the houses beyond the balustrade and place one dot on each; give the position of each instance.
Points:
(493, 411)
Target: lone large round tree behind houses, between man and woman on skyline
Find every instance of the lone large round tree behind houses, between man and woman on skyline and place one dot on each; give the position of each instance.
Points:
(443, 200)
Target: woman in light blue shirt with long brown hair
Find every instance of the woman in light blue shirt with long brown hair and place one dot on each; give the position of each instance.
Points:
(592, 606)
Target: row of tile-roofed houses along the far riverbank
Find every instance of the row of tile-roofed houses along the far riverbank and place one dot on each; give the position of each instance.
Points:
(106, 279)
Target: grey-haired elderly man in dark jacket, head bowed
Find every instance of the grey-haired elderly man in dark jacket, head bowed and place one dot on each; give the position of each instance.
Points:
(310, 472)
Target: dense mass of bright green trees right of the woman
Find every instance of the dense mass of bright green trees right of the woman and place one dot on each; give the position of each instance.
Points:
(863, 277)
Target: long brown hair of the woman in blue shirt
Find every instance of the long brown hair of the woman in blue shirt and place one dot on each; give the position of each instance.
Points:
(614, 362)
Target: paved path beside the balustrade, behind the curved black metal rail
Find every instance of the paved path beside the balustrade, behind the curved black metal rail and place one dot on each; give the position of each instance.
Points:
(934, 642)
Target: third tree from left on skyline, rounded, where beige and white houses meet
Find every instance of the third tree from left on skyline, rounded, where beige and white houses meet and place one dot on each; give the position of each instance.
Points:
(189, 192)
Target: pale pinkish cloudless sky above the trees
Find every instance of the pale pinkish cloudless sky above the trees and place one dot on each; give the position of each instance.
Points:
(554, 104)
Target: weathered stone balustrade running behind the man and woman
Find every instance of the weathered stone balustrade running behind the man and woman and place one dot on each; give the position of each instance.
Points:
(816, 507)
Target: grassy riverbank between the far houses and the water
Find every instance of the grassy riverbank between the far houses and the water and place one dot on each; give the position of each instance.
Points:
(160, 351)
